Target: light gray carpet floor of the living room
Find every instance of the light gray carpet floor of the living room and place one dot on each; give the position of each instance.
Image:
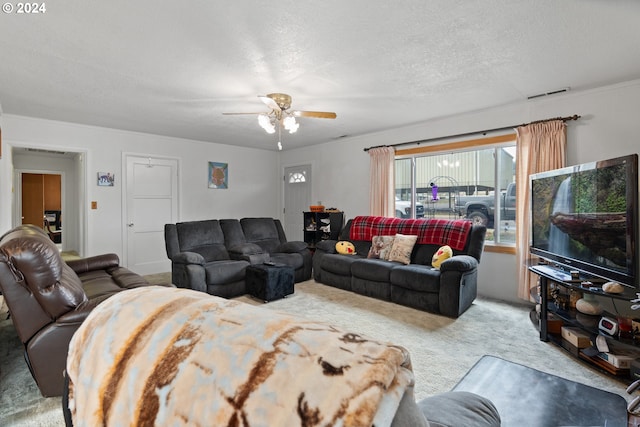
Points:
(442, 349)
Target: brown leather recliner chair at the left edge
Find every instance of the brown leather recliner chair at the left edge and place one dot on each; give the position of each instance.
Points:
(49, 299)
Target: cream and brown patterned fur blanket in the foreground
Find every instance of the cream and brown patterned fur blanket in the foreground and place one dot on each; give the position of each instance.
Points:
(168, 356)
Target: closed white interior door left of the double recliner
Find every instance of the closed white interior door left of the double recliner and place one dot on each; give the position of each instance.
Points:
(151, 202)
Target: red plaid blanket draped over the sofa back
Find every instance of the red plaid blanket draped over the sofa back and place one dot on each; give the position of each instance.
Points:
(429, 231)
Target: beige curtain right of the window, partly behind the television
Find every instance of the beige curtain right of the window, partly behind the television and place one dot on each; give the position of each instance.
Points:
(540, 147)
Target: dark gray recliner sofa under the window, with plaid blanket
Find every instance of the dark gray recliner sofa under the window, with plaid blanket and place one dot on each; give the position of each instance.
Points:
(449, 291)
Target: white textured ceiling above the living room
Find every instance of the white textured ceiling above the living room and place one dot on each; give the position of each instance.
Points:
(173, 68)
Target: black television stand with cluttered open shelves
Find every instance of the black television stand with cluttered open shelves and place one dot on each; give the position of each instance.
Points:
(553, 317)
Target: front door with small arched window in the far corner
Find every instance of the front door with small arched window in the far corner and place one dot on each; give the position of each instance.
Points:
(297, 198)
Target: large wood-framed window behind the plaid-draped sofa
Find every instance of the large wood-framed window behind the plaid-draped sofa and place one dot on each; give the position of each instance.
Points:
(470, 179)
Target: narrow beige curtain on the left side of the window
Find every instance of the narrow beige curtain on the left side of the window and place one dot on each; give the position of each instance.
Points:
(382, 182)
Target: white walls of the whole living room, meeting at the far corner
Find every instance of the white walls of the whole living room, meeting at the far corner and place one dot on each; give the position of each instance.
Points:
(609, 127)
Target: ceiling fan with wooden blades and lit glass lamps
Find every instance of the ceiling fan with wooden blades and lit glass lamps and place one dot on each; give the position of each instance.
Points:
(281, 114)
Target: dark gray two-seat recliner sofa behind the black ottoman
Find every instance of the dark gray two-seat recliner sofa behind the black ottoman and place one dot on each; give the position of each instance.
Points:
(212, 255)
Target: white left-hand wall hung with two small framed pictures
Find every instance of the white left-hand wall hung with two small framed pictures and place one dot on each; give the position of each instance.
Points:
(253, 174)
